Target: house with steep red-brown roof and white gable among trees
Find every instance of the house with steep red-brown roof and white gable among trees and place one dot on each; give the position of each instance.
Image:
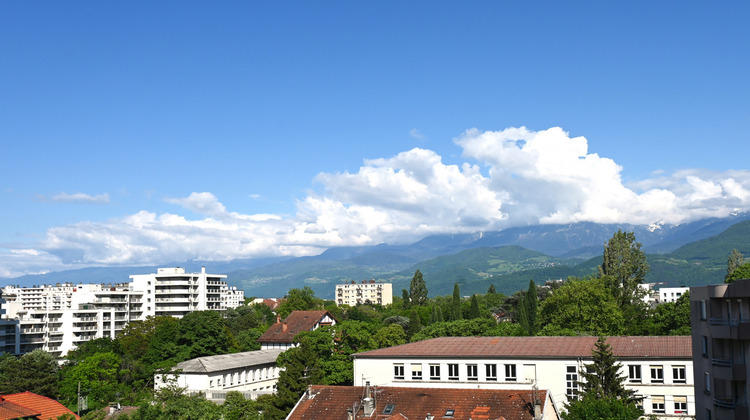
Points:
(281, 334)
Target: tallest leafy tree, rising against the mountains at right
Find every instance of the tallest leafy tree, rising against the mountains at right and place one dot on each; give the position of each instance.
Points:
(626, 265)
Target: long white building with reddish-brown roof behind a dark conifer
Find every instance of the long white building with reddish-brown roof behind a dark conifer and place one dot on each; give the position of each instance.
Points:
(655, 367)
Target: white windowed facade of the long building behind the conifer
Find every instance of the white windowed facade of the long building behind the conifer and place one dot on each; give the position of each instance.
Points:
(665, 385)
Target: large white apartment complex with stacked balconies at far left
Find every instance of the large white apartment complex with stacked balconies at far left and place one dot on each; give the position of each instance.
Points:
(58, 318)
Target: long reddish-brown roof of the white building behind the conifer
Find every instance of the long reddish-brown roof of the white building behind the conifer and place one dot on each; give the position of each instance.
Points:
(675, 347)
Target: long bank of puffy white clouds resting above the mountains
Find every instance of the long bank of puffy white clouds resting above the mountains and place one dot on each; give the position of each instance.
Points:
(509, 178)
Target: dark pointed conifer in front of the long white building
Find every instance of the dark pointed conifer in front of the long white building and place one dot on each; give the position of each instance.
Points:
(602, 378)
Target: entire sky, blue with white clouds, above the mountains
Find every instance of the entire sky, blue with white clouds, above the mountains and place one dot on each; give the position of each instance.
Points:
(145, 132)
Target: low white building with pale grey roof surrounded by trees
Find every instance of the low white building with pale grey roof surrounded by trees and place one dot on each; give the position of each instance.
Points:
(252, 373)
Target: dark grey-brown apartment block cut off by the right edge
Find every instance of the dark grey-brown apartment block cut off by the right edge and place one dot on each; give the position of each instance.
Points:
(720, 321)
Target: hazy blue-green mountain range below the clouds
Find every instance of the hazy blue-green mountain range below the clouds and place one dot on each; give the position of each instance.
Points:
(688, 254)
